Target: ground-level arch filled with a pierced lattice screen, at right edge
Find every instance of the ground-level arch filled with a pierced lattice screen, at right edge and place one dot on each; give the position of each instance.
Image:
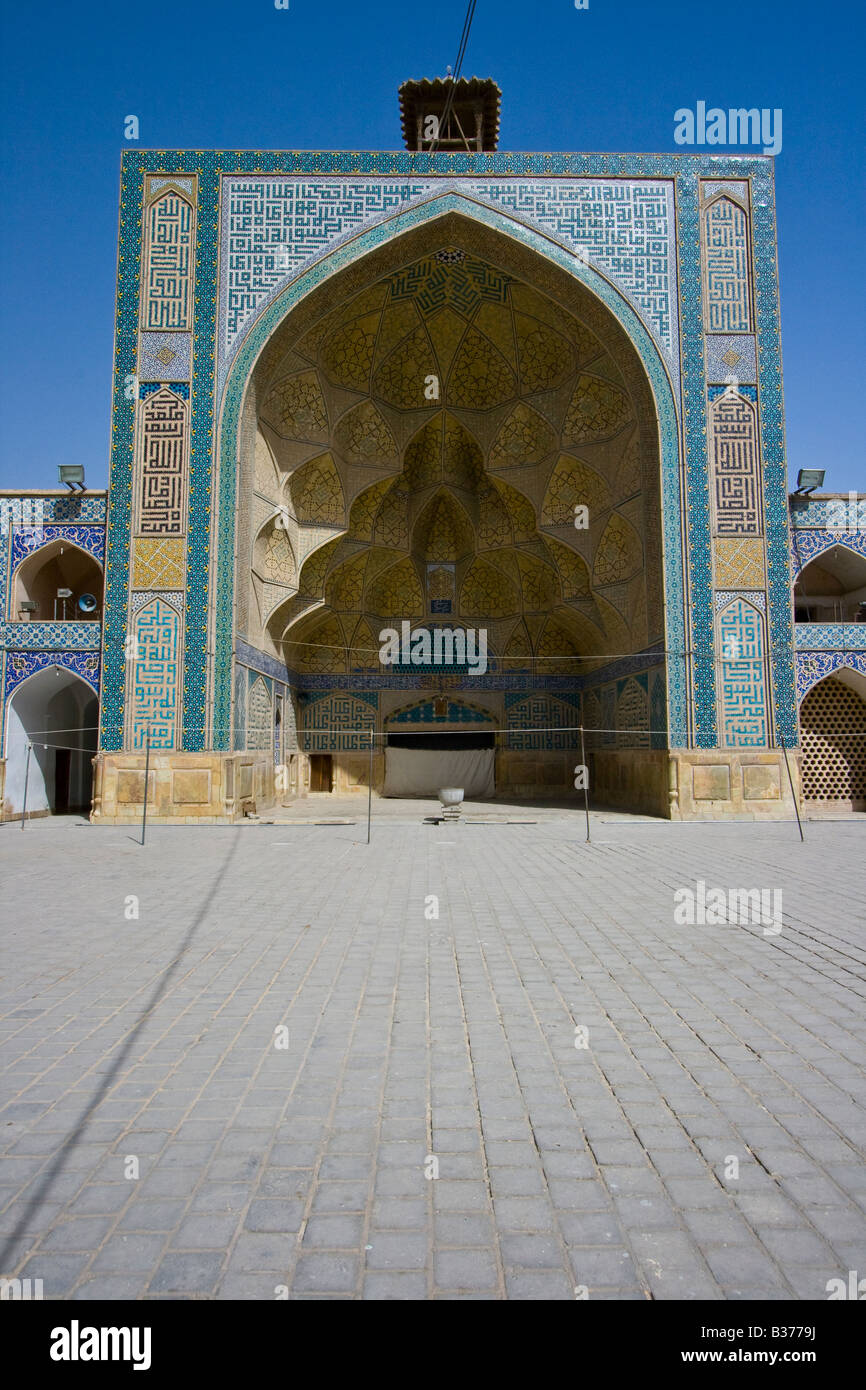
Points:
(833, 739)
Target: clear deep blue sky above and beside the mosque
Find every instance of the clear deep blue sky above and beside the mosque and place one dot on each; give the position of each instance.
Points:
(243, 74)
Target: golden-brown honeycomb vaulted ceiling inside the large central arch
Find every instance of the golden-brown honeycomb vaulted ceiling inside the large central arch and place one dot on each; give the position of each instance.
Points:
(429, 444)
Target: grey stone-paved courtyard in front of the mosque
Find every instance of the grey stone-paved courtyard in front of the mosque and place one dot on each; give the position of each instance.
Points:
(419, 1043)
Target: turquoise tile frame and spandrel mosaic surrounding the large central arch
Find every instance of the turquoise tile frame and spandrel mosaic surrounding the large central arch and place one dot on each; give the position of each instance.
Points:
(661, 311)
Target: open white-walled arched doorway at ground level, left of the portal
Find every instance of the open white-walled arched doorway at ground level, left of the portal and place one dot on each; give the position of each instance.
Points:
(58, 714)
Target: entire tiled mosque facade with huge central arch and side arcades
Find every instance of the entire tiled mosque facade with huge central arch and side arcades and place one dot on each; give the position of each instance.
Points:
(444, 394)
